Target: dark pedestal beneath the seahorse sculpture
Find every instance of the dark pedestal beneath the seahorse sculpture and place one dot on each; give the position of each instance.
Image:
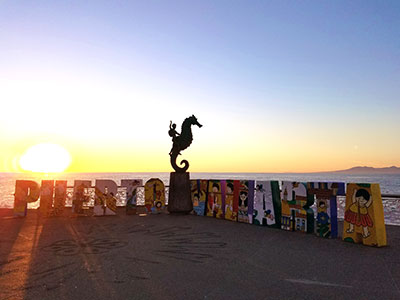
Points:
(179, 199)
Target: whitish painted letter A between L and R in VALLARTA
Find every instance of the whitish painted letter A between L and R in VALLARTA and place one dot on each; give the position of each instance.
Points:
(267, 204)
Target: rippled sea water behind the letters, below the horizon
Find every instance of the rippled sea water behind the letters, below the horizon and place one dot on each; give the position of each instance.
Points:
(389, 183)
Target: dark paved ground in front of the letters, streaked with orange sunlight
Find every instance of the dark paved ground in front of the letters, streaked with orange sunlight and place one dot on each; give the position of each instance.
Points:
(185, 257)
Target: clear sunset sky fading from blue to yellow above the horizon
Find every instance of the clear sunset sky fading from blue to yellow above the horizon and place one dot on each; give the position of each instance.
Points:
(279, 86)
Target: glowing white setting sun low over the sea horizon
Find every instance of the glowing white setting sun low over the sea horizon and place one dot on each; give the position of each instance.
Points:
(45, 158)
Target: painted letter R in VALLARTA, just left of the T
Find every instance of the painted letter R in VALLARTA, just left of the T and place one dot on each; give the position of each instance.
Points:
(296, 212)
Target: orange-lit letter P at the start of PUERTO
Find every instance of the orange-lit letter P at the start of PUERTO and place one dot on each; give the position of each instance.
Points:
(26, 191)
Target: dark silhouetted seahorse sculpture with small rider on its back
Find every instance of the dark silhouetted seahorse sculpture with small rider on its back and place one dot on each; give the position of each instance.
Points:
(181, 142)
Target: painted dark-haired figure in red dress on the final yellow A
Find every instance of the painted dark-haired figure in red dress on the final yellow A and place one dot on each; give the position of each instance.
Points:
(357, 213)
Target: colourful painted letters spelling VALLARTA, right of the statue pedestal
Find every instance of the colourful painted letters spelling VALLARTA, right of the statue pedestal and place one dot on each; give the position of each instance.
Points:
(289, 206)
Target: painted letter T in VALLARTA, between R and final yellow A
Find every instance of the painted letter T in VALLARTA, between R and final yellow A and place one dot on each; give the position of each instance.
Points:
(325, 194)
